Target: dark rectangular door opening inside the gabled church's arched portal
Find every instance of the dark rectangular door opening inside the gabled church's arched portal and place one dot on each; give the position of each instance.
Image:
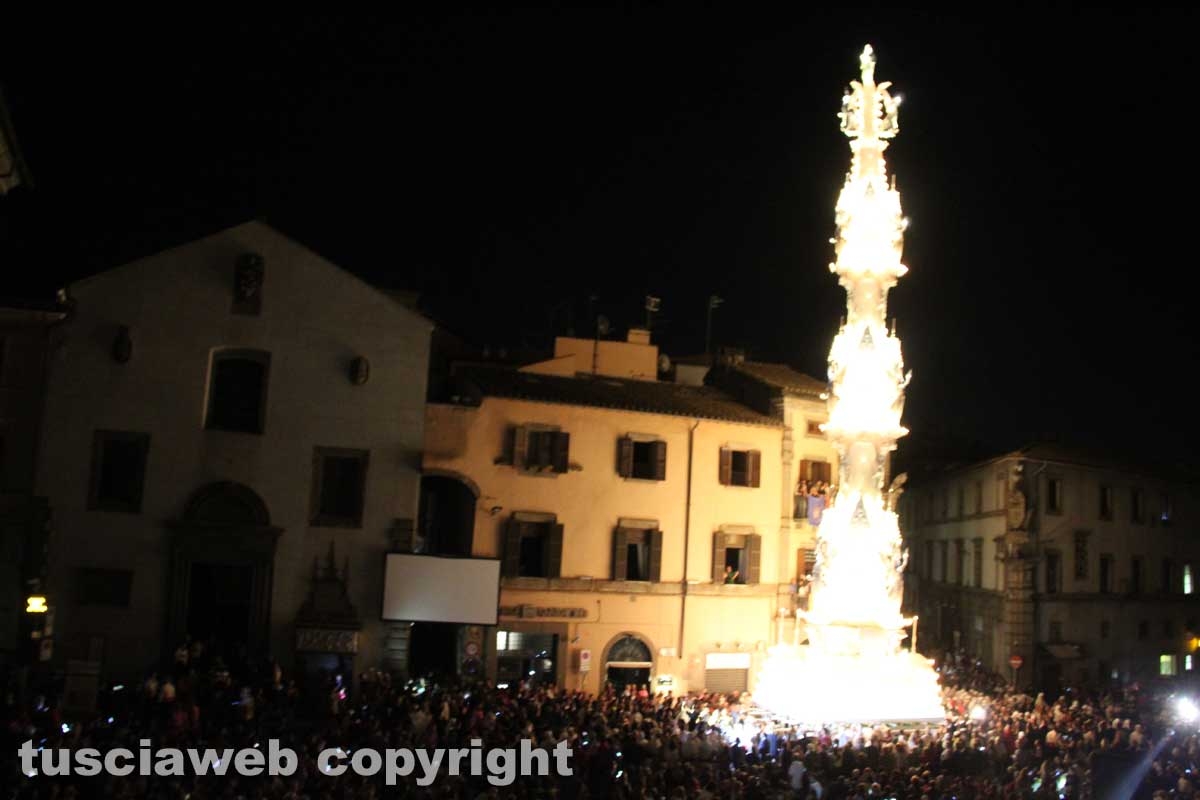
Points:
(219, 605)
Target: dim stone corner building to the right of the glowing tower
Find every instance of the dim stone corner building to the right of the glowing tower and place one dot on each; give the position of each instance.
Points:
(1083, 567)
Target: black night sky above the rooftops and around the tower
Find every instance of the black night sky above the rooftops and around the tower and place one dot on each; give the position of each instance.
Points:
(506, 165)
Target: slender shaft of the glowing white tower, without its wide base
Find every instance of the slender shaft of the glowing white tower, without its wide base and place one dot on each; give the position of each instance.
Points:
(859, 543)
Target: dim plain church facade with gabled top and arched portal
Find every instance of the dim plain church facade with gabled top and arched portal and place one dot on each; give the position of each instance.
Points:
(235, 434)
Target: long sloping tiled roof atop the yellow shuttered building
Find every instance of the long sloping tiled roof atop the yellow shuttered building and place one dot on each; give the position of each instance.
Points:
(602, 392)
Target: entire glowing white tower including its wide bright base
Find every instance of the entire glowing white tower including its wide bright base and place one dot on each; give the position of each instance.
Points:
(854, 667)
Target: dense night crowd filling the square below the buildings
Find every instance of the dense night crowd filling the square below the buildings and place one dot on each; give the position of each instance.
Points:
(627, 745)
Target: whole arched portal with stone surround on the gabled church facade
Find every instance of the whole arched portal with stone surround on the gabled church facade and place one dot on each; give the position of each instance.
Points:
(223, 567)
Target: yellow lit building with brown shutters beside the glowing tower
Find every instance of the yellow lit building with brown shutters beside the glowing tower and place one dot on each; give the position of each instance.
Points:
(639, 522)
